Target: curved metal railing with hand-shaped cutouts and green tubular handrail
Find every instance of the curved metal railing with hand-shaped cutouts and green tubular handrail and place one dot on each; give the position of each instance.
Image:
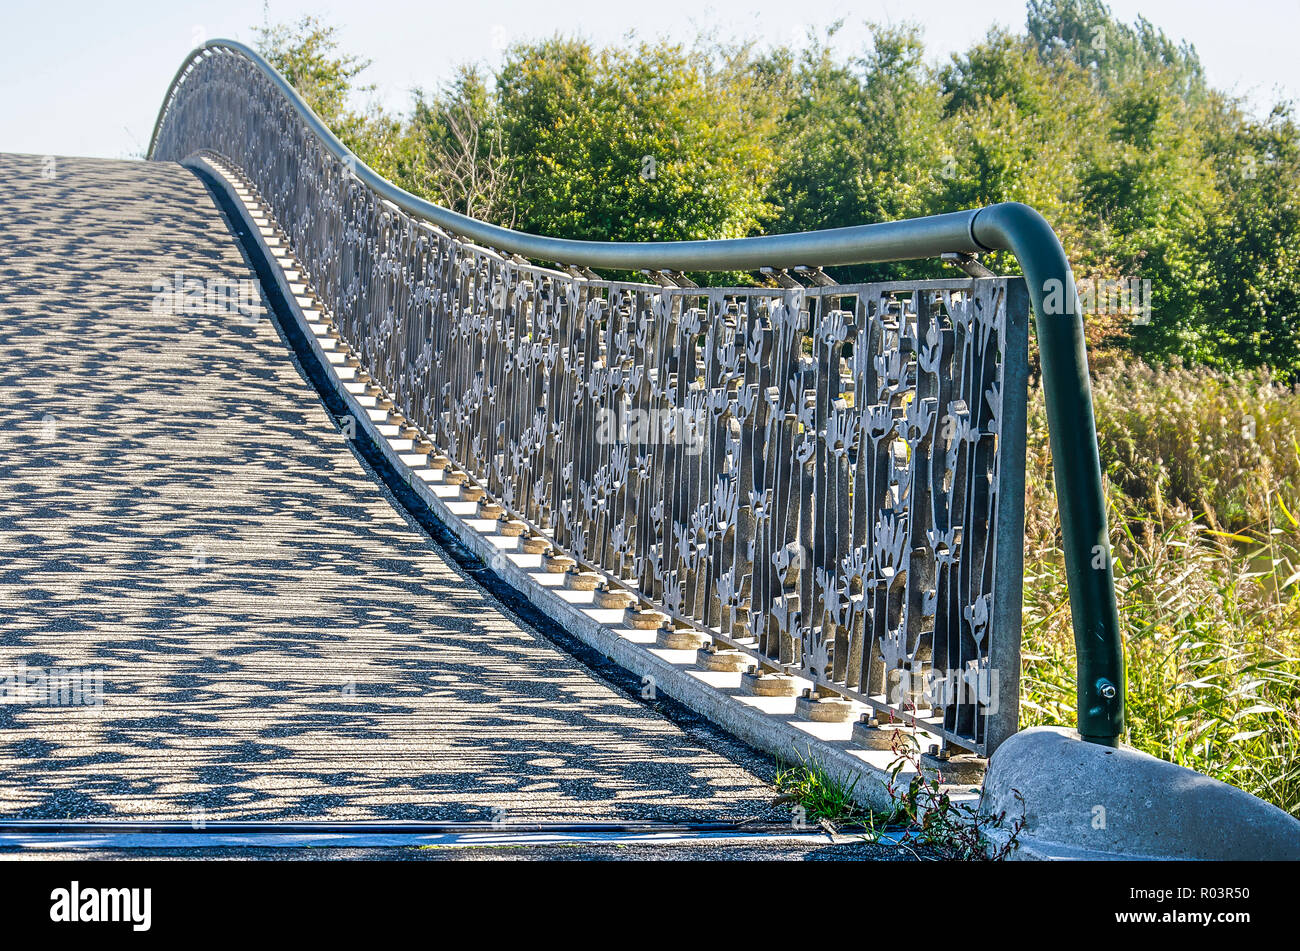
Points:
(816, 475)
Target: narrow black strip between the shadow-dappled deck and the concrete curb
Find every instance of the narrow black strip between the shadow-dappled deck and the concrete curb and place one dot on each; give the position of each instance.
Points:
(414, 509)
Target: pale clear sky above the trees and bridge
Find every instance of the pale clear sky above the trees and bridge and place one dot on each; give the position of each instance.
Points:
(88, 77)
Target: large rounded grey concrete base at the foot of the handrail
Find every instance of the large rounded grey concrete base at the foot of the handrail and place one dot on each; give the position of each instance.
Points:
(1085, 801)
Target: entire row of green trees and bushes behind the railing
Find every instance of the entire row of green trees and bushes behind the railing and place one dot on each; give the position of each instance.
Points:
(1110, 129)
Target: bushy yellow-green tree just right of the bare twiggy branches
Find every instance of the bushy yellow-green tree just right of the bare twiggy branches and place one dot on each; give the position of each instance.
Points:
(630, 145)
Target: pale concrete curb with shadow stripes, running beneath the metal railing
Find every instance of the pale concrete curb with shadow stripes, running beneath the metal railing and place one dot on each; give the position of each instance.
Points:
(765, 723)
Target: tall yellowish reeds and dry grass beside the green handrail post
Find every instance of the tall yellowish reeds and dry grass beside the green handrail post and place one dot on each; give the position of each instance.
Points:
(1204, 489)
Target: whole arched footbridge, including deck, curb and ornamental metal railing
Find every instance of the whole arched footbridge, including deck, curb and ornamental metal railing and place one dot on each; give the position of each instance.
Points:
(792, 511)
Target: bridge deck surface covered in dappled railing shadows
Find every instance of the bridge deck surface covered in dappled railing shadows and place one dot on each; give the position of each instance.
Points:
(179, 510)
